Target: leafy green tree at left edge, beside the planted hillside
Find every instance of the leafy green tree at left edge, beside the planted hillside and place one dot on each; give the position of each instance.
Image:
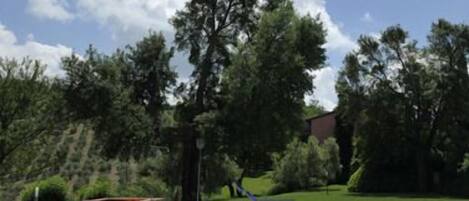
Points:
(29, 113)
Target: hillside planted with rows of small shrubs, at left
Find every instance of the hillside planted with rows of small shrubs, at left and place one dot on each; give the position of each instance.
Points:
(74, 156)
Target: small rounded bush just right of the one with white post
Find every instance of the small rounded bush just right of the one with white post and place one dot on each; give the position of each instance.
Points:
(101, 189)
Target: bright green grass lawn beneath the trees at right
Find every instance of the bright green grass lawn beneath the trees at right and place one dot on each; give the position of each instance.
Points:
(260, 186)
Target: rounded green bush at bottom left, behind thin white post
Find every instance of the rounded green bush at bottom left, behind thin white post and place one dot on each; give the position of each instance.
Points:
(53, 188)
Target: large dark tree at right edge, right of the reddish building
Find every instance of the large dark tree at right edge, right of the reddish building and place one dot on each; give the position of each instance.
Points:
(408, 105)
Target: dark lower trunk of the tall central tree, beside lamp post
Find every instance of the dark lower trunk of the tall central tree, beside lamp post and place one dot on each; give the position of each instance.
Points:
(189, 170)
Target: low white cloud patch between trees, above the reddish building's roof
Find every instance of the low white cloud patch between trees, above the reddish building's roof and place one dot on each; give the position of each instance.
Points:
(324, 91)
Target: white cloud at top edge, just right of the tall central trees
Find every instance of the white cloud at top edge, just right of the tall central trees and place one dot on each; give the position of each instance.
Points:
(336, 39)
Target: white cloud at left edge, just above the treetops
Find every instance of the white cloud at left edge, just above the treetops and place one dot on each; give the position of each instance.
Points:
(48, 54)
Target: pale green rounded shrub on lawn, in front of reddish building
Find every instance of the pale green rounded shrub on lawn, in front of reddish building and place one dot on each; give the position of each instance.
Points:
(305, 165)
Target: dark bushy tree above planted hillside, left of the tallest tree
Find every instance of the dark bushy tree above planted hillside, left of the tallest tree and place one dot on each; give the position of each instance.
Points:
(124, 94)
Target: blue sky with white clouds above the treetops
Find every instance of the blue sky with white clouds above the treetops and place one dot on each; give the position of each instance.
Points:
(50, 29)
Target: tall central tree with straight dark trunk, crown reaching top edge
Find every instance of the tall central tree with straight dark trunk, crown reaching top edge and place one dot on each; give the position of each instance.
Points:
(207, 30)
